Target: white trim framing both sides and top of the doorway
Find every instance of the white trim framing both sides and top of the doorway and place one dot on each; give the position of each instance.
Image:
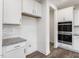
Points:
(48, 29)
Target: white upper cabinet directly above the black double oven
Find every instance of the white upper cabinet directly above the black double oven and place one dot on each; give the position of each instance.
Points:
(65, 14)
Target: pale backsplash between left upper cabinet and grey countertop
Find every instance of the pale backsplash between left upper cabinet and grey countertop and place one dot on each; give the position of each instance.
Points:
(11, 30)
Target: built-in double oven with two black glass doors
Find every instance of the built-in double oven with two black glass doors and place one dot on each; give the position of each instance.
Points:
(65, 32)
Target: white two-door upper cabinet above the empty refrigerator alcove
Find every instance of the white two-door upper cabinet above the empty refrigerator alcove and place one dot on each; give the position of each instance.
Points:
(32, 7)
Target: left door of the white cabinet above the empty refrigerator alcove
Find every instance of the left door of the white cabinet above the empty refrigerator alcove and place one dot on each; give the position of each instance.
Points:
(28, 6)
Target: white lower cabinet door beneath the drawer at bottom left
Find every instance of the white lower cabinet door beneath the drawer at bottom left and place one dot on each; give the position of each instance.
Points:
(18, 53)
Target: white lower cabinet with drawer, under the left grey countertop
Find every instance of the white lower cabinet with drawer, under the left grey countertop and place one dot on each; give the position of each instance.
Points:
(14, 51)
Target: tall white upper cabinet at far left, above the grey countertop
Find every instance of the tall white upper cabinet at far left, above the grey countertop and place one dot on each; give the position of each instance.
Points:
(12, 11)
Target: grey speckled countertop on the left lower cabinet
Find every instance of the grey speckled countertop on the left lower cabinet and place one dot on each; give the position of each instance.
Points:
(11, 41)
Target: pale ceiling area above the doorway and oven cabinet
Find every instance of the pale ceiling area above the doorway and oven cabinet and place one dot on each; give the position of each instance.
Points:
(64, 3)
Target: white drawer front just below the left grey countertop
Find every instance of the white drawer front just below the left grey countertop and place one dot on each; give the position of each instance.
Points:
(15, 46)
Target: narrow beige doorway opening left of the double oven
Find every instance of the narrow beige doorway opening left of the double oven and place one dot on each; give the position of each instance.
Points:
(51, 19)
